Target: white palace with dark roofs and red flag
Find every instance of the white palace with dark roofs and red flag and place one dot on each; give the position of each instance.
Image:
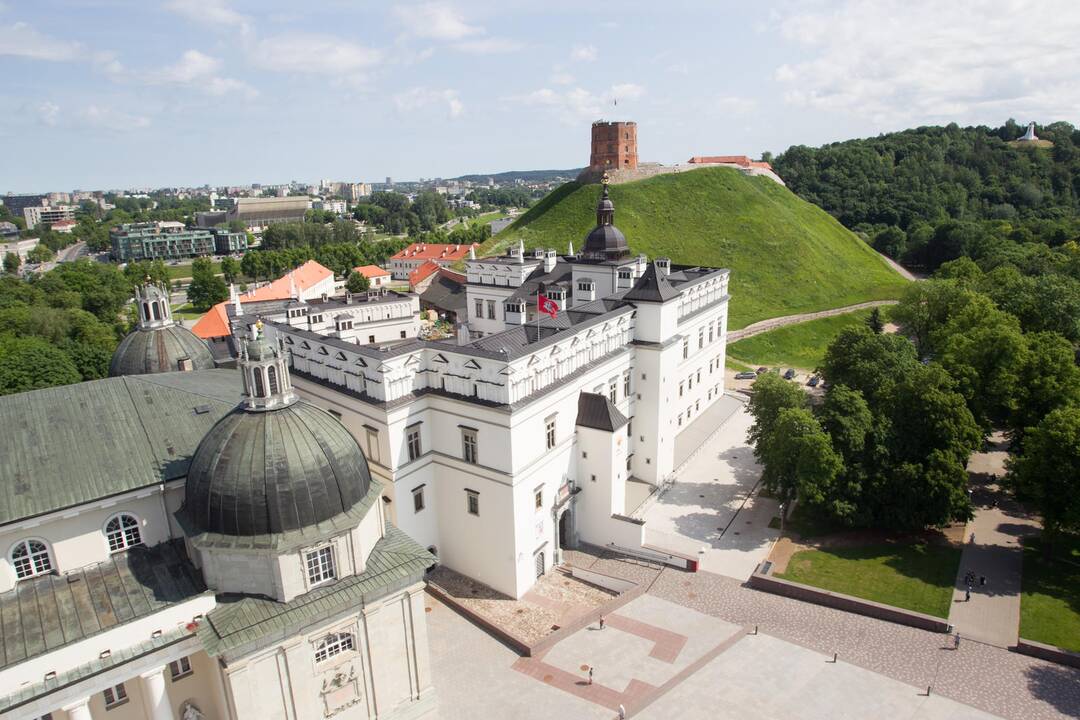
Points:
(522, 437)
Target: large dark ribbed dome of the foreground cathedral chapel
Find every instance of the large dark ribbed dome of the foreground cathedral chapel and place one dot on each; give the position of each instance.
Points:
(268, 473)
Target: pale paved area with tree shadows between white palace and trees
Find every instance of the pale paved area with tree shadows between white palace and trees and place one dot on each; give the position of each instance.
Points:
(712, 505)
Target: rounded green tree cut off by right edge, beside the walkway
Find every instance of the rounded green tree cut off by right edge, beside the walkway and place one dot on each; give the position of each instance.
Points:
(1047, 472)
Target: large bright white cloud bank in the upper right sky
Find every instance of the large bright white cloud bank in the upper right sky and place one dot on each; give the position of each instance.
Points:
(904, 62)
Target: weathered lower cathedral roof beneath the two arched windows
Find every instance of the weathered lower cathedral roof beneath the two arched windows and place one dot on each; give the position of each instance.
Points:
(48, 613)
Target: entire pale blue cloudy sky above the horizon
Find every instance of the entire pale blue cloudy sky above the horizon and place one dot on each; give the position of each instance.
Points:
(104, 94)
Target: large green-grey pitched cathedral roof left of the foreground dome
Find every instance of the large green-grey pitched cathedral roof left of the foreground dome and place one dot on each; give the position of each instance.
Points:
(114, 436)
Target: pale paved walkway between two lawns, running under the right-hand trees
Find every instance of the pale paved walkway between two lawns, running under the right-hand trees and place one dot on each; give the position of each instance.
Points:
(993, 614)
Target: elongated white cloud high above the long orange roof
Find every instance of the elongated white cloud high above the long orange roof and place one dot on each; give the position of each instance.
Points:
(317, 55)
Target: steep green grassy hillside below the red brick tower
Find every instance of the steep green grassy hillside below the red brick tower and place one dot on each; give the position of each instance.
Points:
(787, 256)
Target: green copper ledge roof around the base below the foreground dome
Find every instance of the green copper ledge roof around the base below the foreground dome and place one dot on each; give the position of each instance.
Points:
(245, 623)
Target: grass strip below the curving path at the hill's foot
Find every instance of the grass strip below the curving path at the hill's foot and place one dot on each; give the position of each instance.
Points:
(801, 346)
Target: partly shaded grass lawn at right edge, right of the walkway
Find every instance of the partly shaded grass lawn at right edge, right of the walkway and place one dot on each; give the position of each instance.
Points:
(1050, 602)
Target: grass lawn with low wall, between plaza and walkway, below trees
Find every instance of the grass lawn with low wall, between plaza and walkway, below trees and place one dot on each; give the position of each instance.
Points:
(916, 577)
